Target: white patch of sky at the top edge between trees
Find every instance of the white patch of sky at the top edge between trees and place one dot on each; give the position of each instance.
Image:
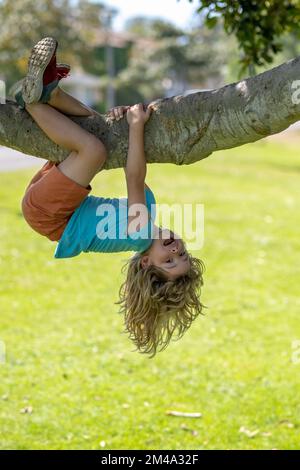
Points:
(178, 12)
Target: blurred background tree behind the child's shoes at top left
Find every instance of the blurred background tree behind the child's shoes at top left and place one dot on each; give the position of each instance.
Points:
(24, 22)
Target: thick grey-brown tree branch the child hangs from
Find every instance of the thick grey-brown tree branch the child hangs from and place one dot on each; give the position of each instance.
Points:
(182, 129)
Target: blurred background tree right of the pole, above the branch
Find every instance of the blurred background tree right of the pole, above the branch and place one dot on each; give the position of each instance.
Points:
(166, 60)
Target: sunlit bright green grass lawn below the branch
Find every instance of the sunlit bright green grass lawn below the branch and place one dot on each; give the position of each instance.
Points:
(68, 359)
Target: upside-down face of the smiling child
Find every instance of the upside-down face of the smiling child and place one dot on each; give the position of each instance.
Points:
(168, 253)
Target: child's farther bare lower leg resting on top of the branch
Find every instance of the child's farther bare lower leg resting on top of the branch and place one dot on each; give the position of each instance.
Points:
(68, 104)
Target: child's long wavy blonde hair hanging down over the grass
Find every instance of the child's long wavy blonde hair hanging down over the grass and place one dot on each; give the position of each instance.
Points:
(154, 307)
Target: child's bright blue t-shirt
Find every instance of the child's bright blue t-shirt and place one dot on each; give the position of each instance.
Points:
(100, 224)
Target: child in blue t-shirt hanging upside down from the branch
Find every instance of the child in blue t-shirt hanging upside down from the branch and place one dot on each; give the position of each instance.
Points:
(160, 295)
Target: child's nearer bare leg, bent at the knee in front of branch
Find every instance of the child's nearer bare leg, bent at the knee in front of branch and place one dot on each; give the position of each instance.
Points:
(88, 153)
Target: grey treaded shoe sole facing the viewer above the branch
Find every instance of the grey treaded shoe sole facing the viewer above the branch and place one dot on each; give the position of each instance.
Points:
(40, 57)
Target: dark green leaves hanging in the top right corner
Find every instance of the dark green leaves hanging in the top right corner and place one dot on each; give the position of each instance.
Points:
(258, 26)
